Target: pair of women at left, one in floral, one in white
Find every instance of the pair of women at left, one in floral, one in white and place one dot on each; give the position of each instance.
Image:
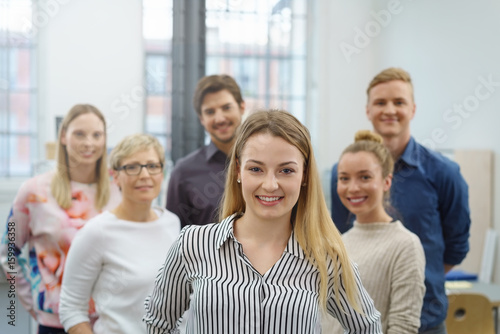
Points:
(118, 240)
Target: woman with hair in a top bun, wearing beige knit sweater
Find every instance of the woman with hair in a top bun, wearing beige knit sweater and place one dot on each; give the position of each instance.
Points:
(390, 258)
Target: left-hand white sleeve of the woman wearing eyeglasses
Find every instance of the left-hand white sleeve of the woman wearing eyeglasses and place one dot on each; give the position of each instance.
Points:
(83, 265)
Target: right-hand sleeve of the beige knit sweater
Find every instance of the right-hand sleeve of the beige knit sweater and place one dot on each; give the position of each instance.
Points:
(407, 289)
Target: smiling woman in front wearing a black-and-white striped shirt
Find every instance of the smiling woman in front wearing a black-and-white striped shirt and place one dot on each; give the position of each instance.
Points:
(275, 260)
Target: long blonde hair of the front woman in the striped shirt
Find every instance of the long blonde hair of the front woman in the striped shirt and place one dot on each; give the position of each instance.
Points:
(312, 224)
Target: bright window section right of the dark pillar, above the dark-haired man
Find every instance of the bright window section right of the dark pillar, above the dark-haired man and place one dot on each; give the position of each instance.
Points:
(262, 45)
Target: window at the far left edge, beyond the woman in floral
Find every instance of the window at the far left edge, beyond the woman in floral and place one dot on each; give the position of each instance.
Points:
(18, 93)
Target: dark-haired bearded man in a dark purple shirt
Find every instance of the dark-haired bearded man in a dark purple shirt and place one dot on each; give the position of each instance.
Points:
(197, 181)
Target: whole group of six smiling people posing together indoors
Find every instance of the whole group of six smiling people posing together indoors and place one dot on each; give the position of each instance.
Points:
(246, 243)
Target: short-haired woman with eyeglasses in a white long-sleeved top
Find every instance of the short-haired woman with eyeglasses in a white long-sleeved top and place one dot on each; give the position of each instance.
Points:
(116, 256)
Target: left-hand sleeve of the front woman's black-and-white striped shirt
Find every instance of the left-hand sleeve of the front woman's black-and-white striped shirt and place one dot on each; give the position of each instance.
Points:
(170, 296)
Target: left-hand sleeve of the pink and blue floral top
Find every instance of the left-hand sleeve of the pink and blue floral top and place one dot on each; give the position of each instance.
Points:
(13, 258)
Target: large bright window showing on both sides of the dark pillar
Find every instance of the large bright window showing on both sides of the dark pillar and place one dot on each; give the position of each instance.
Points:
(262, 44)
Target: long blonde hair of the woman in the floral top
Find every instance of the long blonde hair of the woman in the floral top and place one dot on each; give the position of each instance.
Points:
(60, 186)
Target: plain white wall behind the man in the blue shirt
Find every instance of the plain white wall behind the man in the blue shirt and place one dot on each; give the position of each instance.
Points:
(449, 47)
